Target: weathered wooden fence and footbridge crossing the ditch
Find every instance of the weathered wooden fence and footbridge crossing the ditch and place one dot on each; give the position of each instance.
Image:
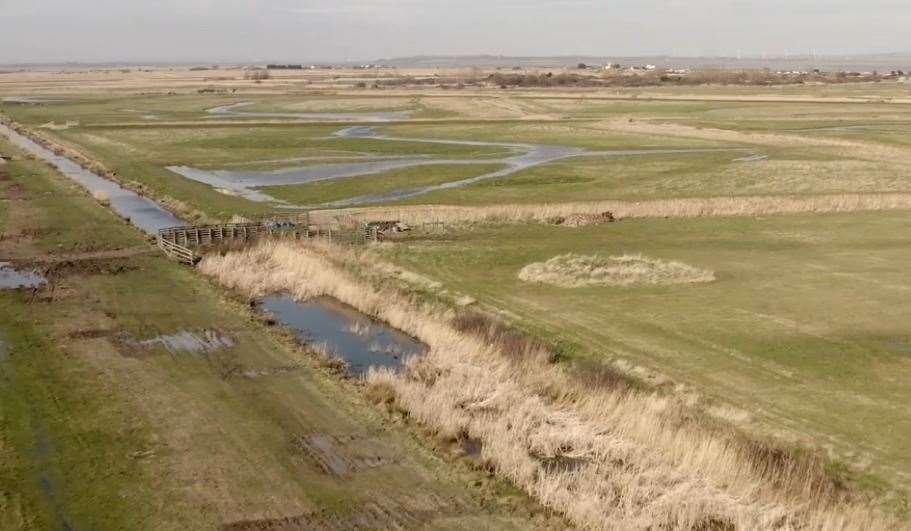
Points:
(183, 243)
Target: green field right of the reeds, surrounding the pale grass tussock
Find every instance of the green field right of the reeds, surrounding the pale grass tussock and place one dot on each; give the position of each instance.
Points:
(804, 328)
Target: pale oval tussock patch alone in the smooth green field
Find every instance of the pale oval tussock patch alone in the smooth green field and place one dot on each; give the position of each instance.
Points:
(576, 271)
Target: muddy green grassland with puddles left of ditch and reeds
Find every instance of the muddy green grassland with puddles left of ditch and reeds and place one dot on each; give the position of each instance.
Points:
(99, 432)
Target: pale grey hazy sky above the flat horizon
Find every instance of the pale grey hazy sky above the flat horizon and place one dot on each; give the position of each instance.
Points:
(305, 30)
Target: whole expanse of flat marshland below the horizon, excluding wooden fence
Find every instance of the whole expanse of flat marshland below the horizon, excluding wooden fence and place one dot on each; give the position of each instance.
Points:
(608, 307)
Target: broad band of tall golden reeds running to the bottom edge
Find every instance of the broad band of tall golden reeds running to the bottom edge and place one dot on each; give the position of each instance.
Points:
(606, 456)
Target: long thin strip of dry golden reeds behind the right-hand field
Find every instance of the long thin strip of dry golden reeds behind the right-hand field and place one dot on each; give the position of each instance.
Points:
(687, 207)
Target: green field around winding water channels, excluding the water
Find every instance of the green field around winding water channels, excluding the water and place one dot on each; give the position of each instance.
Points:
(142, 151)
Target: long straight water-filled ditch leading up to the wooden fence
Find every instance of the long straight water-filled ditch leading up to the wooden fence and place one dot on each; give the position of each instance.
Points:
(141, 211)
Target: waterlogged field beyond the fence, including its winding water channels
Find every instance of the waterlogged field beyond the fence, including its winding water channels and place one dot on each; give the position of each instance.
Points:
(523, 147)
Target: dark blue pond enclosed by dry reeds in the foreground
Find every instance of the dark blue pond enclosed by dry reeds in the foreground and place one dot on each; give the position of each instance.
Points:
(348, 334)
